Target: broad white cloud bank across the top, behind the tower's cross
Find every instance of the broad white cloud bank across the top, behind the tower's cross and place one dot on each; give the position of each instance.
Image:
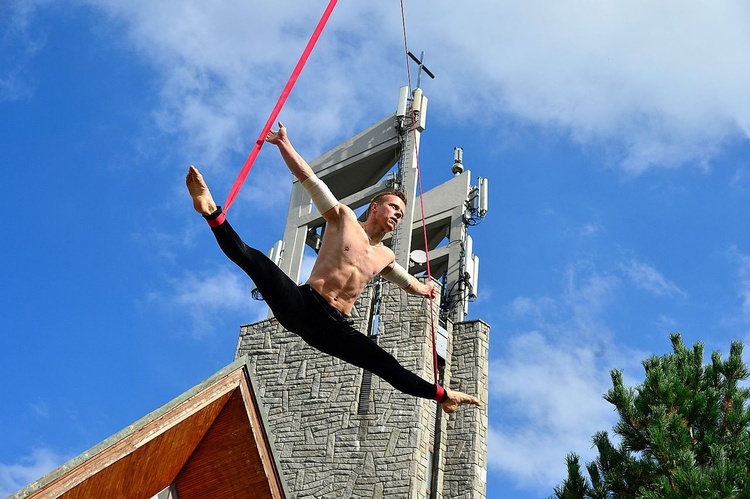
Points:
(653, 84)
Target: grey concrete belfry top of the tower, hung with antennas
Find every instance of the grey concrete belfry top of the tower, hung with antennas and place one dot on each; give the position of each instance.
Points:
(384, 157)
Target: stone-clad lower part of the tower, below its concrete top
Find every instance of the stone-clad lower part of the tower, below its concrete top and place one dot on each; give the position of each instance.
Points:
(339, 435)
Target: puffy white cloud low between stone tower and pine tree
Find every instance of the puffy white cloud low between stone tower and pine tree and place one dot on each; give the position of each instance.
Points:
(553, 394)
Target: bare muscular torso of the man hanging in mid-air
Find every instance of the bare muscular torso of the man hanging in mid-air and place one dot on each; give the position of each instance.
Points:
(346, 262)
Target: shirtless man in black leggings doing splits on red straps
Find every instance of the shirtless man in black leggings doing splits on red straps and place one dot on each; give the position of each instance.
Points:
(351, 254)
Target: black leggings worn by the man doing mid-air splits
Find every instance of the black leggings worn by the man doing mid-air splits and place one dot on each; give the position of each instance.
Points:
(303, 311)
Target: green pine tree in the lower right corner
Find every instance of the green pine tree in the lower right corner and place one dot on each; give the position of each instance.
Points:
(683, 433)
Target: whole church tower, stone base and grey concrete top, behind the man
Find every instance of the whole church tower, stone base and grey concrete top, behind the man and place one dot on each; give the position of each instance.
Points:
(339, 431)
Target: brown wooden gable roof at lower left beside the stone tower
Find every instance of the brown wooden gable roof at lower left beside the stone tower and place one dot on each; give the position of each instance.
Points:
(212, 441)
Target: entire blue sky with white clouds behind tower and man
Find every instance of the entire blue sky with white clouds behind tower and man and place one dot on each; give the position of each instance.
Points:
(614, 134)
